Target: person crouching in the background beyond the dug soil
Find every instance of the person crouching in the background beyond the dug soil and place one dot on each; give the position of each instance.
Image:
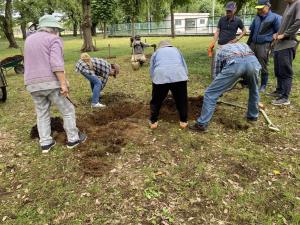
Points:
(138, 57)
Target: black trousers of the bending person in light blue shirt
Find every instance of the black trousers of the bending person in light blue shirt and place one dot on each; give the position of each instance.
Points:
(160, 92)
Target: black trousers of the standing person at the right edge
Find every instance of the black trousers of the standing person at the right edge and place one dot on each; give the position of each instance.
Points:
(283, 67)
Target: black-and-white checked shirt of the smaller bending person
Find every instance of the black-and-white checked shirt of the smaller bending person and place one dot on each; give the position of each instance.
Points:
(101, 69)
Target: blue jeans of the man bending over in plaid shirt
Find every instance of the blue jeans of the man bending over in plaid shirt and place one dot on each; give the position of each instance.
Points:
(247, 67)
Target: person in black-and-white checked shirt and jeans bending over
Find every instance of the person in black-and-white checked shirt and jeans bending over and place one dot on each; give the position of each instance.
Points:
(97, 72)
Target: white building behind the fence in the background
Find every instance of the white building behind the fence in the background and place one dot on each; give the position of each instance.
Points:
(190, 23)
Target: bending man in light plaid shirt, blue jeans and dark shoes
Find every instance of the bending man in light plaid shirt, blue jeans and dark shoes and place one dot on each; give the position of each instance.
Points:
(233, 61)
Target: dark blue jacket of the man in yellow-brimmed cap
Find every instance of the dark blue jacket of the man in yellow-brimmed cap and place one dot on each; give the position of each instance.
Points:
(263, 28)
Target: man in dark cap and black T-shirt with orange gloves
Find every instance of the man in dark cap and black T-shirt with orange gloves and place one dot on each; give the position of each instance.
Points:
(228, 26)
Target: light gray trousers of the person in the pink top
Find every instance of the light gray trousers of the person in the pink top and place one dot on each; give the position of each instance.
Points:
(43, 101)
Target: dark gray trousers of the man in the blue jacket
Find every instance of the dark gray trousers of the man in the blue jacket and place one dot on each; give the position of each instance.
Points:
(261, 52)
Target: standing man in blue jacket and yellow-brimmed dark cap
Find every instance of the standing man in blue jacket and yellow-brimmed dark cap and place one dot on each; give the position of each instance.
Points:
(264, 25)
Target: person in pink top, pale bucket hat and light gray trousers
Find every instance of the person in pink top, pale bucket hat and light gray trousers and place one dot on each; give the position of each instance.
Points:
(46, 81)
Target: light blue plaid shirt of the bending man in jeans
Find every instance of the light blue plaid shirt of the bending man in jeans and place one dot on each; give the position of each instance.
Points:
(226, 52)
